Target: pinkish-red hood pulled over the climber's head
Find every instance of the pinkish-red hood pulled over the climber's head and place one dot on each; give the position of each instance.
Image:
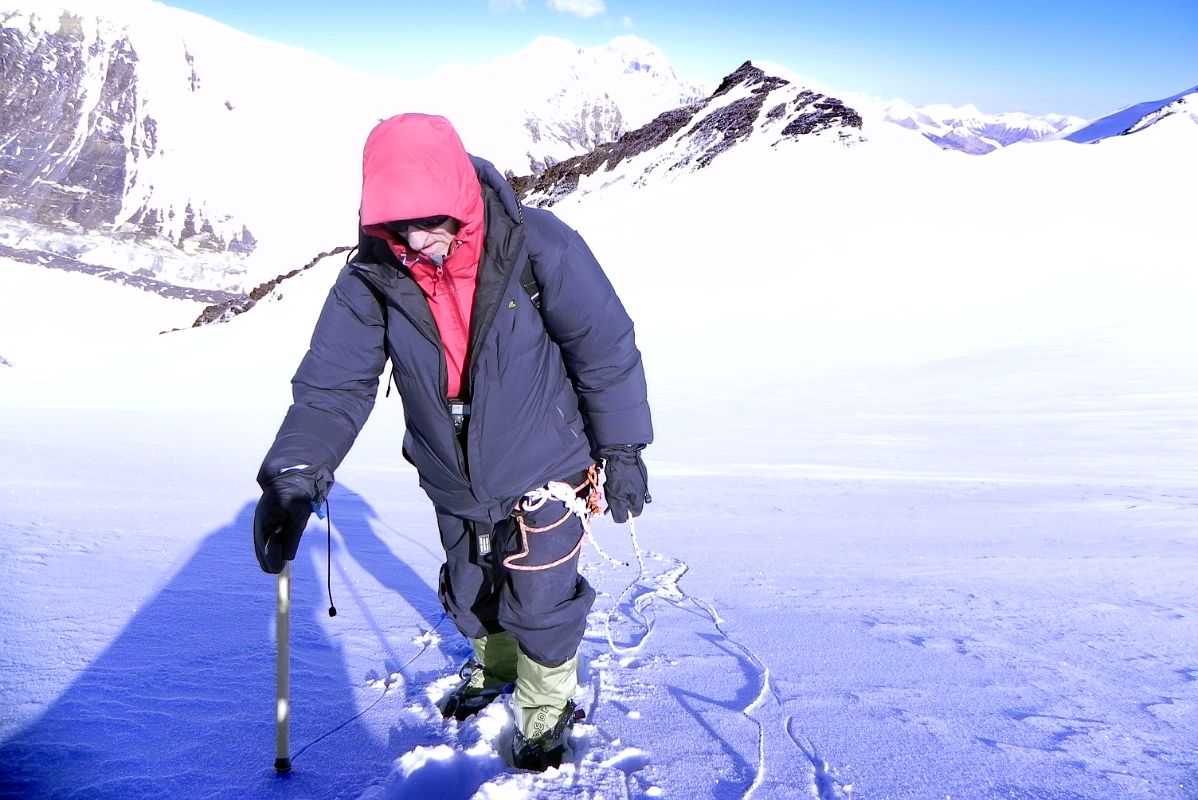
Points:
(415, 166)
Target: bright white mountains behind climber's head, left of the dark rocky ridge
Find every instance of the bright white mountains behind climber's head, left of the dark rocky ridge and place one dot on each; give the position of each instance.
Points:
(142, 140)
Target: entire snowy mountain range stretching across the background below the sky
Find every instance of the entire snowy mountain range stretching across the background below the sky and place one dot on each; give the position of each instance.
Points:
(159, 144)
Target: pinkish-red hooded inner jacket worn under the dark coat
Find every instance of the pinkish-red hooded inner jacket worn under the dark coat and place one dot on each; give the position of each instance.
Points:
(415, 166)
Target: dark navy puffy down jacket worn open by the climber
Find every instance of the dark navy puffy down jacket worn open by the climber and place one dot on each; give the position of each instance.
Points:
(550, 386)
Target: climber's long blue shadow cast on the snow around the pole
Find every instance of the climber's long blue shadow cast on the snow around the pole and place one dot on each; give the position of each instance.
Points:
(181, 705)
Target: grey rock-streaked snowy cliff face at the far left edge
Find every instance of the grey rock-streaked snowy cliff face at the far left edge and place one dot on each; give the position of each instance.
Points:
(83, 142)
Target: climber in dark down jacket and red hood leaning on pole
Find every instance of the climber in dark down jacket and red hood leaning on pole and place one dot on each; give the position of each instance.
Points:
(519, 374)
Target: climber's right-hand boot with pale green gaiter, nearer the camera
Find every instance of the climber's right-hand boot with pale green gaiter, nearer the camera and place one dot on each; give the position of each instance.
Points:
(544, 713)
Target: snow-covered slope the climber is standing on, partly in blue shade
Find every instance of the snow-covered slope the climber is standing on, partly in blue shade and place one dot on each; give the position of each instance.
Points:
(925, 520)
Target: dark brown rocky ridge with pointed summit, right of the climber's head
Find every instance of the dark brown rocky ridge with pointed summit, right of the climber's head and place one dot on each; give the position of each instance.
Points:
(749, 104)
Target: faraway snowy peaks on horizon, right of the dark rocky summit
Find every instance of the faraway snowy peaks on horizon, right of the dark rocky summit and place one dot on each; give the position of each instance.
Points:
(971, 131)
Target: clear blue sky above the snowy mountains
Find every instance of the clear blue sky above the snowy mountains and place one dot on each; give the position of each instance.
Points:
(1070, 58)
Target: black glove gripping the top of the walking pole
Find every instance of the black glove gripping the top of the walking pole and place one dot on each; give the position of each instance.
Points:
(288, 501)
